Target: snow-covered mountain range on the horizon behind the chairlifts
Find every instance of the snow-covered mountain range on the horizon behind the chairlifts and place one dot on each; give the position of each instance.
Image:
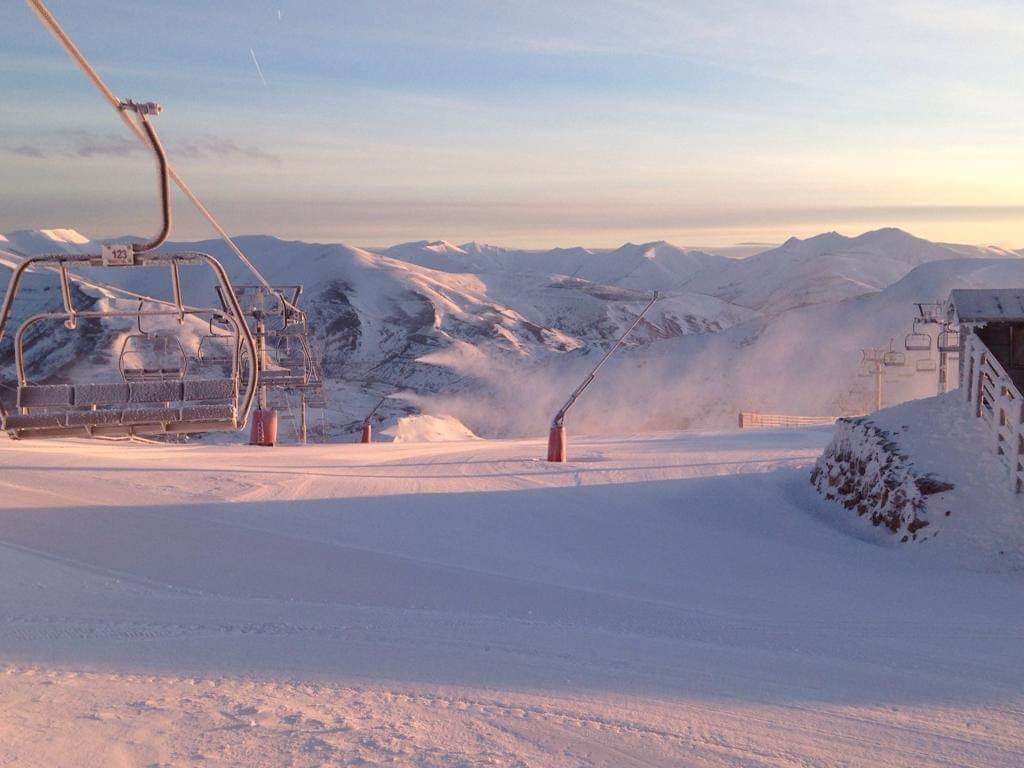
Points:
(498, 337)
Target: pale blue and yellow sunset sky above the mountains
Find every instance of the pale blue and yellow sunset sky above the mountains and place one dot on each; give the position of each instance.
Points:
(529, 123)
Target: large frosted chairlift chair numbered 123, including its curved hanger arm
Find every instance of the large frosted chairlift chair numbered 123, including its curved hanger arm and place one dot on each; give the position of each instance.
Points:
(127, 407)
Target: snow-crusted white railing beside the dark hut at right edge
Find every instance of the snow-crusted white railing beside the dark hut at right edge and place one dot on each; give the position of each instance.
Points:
(993, 397)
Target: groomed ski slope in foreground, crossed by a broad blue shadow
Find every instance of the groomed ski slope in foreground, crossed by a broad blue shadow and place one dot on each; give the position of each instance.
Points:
(674, 601)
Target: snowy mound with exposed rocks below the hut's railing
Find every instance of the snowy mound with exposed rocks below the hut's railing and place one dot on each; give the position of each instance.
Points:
(924, 473)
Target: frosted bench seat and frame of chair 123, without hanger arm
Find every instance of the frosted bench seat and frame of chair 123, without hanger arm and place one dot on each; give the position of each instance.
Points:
(159, 399)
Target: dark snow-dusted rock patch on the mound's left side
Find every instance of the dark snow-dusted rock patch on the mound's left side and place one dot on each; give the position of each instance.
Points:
(865, 472)
